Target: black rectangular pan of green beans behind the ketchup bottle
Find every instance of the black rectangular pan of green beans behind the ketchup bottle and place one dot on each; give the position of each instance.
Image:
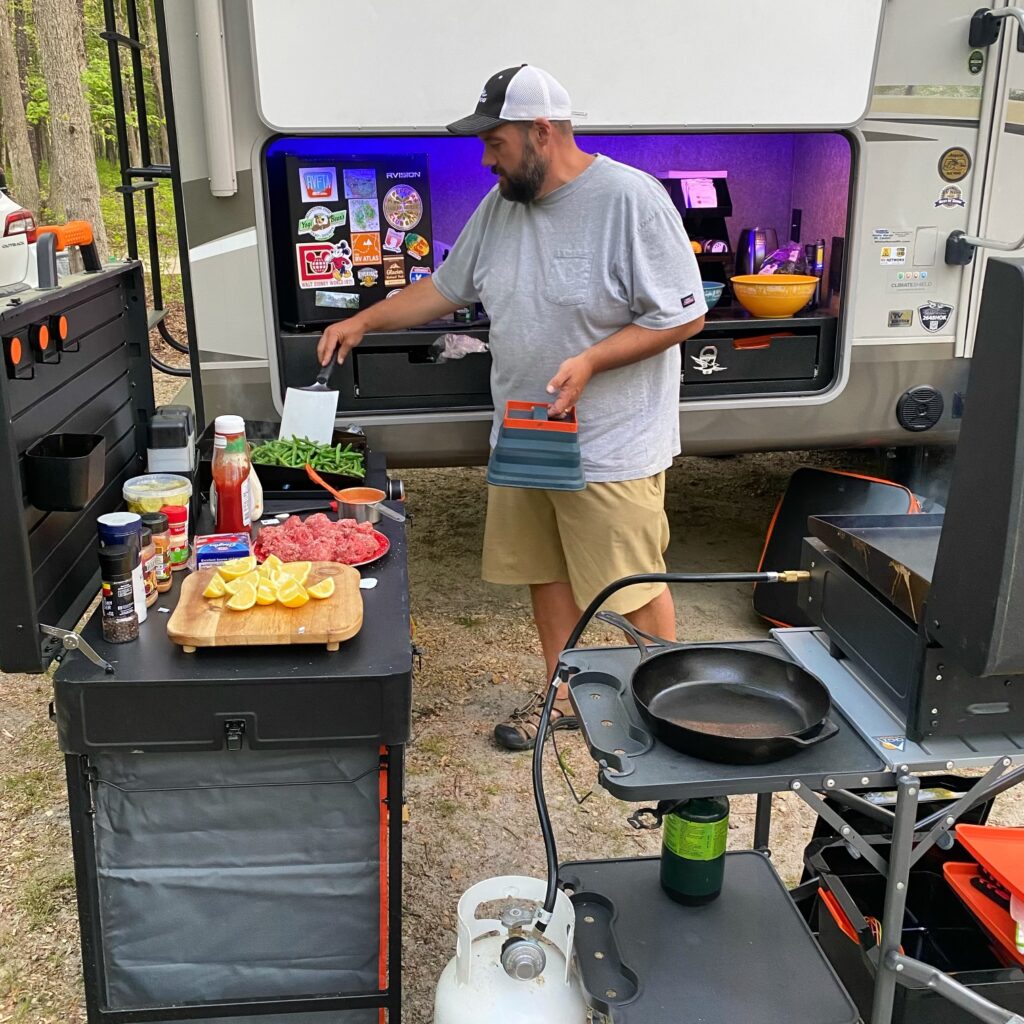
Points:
(281, 464)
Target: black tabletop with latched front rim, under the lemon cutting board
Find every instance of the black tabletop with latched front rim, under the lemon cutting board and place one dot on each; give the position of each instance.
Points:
(306, 696)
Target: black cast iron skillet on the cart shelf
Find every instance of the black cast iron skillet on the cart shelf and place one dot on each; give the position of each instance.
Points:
(724, 704)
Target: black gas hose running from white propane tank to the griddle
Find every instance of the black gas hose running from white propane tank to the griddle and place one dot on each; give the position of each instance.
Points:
(578, 631)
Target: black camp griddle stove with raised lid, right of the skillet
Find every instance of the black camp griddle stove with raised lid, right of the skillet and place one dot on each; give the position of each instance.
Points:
(927, 612)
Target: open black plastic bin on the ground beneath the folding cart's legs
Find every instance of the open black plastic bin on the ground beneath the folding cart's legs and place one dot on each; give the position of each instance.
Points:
(937, 930)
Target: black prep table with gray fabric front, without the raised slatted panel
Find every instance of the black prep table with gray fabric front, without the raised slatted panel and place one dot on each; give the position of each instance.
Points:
(232, 818)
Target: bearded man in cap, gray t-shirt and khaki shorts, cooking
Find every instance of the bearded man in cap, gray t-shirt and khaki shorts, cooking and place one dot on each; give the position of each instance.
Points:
(590, 282)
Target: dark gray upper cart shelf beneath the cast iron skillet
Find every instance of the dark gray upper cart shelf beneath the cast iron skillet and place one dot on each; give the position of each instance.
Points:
(634, 766)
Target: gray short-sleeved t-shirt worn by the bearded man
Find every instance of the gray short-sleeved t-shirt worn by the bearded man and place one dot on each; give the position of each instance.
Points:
(606, 250)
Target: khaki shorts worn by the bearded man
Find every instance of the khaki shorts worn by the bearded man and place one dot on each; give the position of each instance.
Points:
(584, 538)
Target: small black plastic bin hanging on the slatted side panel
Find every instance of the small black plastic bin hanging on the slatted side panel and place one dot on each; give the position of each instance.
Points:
(64, 473)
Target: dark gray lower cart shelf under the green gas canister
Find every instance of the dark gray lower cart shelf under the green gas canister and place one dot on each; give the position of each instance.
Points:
(747, 957)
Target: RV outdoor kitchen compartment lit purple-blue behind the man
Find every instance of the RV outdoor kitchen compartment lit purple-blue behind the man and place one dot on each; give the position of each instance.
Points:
(394, 373)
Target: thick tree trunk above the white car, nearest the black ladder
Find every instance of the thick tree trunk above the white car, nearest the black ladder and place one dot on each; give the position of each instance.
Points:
(74, 166)
